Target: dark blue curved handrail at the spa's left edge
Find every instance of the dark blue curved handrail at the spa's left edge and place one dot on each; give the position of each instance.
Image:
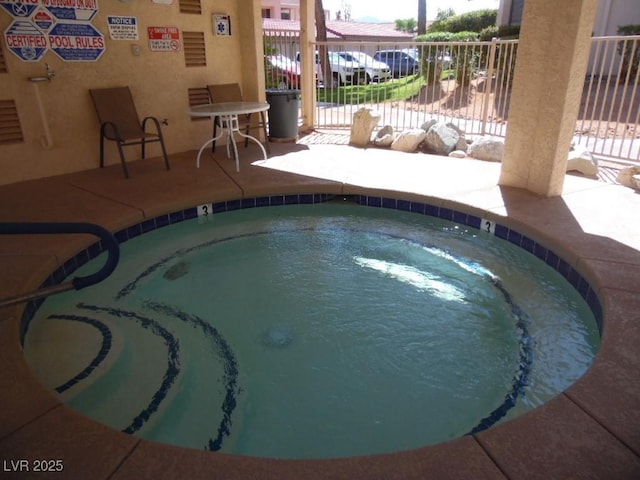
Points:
(109, 242)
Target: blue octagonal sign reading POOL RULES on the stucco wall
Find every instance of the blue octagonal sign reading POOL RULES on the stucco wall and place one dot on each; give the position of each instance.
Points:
(78, 42)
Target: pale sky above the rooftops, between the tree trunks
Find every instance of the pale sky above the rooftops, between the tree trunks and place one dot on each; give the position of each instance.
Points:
(388, 11)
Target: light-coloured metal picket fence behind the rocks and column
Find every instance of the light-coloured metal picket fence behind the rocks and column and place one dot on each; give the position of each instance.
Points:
(469, 85)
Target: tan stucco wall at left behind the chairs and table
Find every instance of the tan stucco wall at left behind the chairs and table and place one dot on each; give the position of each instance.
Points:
(159, 82)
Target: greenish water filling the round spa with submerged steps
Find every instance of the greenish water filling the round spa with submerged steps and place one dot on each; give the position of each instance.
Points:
(313, 331)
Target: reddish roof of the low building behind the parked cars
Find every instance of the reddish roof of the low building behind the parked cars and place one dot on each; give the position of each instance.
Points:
(344, 30)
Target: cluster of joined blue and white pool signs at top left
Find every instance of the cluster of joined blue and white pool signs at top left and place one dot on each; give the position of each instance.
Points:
(61, 26)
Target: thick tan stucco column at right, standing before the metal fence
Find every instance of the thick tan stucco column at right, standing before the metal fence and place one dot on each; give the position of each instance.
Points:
(550, 71)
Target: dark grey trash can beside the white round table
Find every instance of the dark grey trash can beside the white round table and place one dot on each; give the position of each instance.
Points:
(283, 114)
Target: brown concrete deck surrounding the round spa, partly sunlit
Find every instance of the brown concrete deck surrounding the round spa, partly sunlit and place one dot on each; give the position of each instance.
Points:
(591, 431)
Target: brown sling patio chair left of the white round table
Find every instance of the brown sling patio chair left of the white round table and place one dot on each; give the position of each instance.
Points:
(119, 122)
